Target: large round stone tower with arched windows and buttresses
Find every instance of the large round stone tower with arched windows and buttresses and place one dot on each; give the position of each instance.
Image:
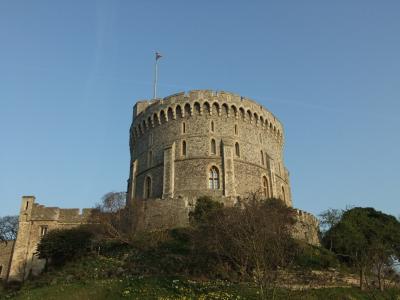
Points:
(203, 142)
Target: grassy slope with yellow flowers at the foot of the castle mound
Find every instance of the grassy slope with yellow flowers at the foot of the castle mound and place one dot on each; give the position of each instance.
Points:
(98, 278)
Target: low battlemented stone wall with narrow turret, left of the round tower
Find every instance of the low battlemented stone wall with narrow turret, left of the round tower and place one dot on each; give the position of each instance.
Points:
(34, 221)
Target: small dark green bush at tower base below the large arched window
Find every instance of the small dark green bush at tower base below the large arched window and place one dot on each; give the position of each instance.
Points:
(205, 208)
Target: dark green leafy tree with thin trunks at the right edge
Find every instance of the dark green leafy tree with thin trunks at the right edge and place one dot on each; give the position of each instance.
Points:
(367, 240)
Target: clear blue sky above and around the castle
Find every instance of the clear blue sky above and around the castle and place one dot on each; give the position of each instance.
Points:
(71, 71)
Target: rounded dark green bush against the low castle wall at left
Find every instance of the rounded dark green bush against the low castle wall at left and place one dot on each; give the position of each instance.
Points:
(61, 245)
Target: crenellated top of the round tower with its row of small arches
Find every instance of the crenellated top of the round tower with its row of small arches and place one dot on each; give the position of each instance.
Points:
(150, 113)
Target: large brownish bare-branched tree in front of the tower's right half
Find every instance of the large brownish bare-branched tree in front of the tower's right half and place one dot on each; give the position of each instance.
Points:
(255, 238)
